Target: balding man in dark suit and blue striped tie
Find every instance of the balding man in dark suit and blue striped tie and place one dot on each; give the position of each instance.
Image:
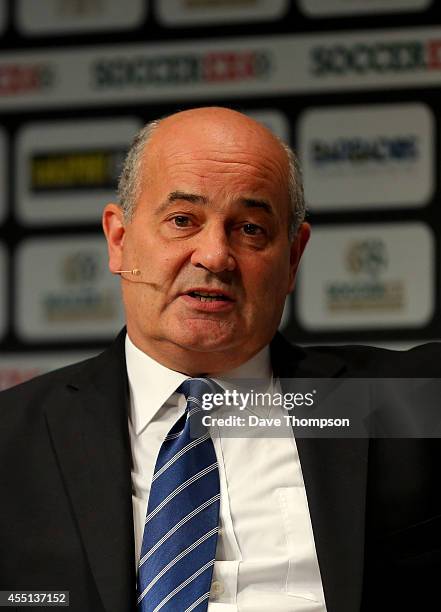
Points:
(207, 240)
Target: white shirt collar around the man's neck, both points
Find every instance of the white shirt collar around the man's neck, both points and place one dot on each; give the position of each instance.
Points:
(152, 384)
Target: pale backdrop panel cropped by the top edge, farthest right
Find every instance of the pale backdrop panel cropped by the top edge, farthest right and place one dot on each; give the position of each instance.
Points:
(328, 8)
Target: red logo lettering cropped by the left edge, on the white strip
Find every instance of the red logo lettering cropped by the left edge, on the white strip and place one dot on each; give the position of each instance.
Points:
(17, 78)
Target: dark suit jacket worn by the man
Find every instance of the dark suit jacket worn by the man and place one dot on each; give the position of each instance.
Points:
(66, 513)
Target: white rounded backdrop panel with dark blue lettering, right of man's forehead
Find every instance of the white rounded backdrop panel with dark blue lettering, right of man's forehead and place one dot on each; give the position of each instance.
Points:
(364, 157)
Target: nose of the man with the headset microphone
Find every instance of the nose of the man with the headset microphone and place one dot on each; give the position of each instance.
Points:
(213, 250)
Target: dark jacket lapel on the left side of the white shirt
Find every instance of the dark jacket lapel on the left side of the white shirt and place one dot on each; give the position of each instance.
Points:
(87, 419)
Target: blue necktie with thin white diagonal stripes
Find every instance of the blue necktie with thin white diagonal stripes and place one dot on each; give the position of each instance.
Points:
(181, 527)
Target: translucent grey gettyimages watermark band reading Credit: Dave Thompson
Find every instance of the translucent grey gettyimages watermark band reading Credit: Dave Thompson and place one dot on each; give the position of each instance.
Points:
(323, 408)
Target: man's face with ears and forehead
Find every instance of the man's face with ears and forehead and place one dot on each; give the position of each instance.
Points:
(211, 219)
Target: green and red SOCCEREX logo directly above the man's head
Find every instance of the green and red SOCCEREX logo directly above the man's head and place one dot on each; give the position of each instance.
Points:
(185, 68)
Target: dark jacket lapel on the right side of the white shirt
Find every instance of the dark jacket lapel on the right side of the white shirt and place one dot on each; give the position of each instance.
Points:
(335, 476)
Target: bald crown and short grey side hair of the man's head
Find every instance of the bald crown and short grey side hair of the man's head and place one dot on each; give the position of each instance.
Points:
(222, 131)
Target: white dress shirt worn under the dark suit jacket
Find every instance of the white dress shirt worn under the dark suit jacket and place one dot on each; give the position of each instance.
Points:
(266, 557)
